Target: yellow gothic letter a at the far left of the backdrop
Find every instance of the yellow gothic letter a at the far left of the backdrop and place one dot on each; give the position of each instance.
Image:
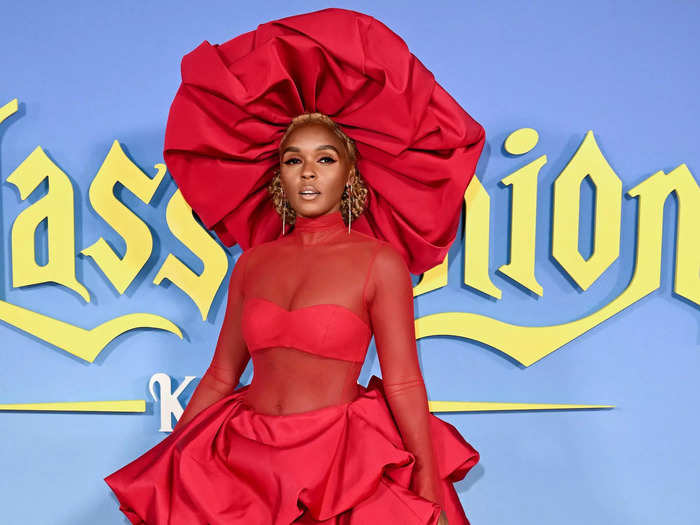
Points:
(56, 207)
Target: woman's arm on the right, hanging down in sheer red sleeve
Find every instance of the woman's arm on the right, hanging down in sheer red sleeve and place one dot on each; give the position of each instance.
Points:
(389, 296)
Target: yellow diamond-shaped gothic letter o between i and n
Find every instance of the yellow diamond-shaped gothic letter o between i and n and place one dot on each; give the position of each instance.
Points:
(588, 161)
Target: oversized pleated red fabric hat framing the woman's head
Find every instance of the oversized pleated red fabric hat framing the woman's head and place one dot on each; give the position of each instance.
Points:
(417, 148)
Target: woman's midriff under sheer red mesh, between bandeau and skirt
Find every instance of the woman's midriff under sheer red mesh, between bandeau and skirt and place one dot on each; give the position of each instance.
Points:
(288, 381)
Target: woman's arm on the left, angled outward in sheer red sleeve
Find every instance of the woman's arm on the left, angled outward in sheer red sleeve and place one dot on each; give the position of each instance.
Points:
(230, 356)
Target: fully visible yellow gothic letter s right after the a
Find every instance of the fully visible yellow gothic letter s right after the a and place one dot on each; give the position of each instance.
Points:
(118, 168)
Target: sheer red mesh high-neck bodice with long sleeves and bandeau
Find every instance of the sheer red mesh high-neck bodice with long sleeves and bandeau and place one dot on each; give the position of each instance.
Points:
(304, 307)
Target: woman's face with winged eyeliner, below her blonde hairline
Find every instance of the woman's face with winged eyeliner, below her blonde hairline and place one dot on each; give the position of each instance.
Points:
(314, 168)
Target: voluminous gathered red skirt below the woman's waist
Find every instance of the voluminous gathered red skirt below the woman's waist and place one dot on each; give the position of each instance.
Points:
(340, 465)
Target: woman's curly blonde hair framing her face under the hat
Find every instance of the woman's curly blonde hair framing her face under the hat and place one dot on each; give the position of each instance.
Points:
(358, 189)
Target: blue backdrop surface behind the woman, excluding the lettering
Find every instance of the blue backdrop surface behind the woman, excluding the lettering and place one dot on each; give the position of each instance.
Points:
(87, 73)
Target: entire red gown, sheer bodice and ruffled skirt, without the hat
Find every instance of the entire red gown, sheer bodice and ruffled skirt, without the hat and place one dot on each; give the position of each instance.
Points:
(304, 442)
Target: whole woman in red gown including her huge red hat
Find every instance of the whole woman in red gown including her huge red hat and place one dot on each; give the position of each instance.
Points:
(304, 443)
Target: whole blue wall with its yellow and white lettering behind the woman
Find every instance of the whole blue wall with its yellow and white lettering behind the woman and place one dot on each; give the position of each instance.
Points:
(560, 335)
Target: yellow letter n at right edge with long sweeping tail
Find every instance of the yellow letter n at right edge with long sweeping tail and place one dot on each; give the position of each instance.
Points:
(528, 344)
